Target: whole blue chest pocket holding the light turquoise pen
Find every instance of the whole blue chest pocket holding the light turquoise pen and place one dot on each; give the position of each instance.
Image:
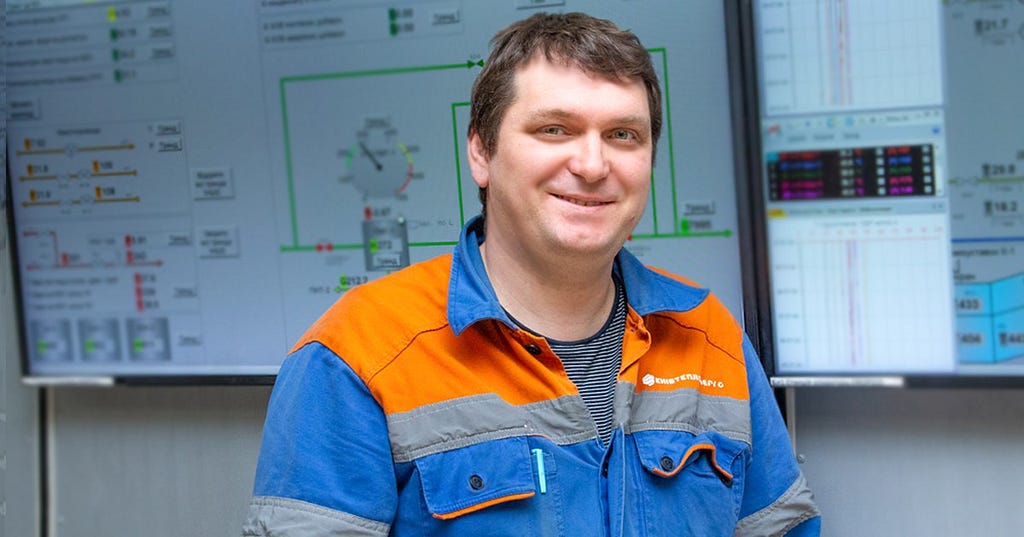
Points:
(487, 488)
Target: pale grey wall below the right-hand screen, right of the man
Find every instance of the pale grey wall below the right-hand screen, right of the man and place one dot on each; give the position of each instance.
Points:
(931, 463)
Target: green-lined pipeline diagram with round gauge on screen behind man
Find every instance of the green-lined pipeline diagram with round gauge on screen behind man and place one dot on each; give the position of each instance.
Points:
(362, 149)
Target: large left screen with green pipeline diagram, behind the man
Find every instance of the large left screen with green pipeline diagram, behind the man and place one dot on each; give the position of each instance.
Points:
(193, 183)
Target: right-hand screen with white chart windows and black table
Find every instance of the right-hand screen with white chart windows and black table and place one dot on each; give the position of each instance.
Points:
(892, 186)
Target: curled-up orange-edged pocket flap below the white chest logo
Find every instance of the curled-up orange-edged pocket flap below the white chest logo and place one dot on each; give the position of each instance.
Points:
(665, 453)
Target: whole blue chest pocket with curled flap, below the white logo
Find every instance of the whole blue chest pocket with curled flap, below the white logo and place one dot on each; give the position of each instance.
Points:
(690, 484)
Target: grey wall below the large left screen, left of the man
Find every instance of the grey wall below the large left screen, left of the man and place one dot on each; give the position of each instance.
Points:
(155, 462)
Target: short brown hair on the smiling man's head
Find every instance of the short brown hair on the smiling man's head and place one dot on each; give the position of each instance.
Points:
(595, 46)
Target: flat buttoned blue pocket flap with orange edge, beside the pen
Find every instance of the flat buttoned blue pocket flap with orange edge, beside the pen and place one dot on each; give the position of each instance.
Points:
(466, 480)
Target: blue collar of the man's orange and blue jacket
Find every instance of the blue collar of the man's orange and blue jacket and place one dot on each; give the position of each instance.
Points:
(472, 298)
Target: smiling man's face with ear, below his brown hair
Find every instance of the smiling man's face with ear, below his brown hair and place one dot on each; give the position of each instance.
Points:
(572, 172)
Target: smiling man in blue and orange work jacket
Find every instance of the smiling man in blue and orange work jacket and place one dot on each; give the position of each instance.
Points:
(539, 381)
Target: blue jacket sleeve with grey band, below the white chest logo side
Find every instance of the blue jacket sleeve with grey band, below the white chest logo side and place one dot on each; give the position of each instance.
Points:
(777, 500)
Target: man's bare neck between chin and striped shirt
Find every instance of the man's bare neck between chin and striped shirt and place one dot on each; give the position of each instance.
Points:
(565, 300)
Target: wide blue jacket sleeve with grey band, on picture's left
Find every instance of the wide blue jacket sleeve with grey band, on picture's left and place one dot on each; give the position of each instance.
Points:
(325, 458)
